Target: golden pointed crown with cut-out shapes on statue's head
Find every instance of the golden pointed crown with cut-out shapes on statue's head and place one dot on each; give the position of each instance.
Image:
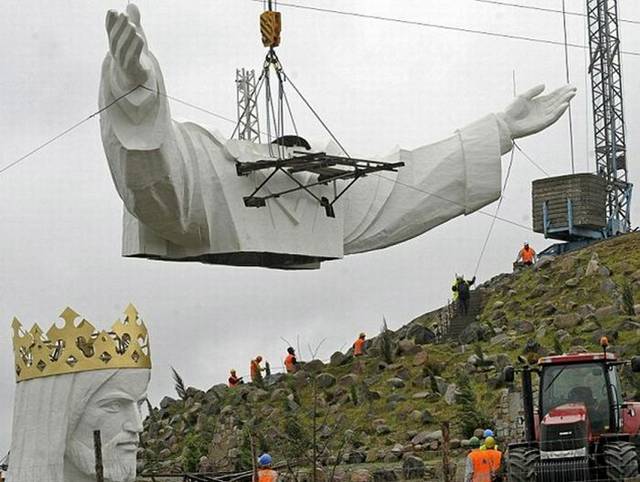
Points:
(80, 348)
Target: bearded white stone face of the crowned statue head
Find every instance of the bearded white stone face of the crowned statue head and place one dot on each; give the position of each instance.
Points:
(114, 409)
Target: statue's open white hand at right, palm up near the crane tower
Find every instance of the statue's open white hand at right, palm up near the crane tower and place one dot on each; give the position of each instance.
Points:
(530, 113)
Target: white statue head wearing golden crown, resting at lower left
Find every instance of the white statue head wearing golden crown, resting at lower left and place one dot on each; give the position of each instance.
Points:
(55, 415)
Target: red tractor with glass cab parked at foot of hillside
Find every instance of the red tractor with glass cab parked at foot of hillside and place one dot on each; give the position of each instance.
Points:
(582, 429)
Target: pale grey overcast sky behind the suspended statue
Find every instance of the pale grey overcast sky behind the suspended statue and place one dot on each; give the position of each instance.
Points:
(377, 85)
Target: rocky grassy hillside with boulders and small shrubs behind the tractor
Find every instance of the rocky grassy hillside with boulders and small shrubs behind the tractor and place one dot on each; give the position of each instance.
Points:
(385, 410)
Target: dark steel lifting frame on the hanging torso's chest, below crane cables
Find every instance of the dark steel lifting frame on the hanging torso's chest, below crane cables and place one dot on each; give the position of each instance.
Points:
(328, 168)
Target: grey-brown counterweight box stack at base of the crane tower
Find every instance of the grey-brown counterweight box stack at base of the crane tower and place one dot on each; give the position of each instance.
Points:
(571, 206)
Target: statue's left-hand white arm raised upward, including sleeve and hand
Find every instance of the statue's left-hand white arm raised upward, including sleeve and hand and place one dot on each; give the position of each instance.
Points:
(152, 174)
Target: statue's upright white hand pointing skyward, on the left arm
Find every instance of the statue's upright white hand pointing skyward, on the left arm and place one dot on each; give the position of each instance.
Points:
(127, 44)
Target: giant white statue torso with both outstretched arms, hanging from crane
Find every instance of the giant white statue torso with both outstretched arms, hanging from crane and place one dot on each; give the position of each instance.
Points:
(184, 200)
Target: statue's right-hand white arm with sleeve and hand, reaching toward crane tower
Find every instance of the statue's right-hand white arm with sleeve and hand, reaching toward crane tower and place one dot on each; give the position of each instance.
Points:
(441, 181)
